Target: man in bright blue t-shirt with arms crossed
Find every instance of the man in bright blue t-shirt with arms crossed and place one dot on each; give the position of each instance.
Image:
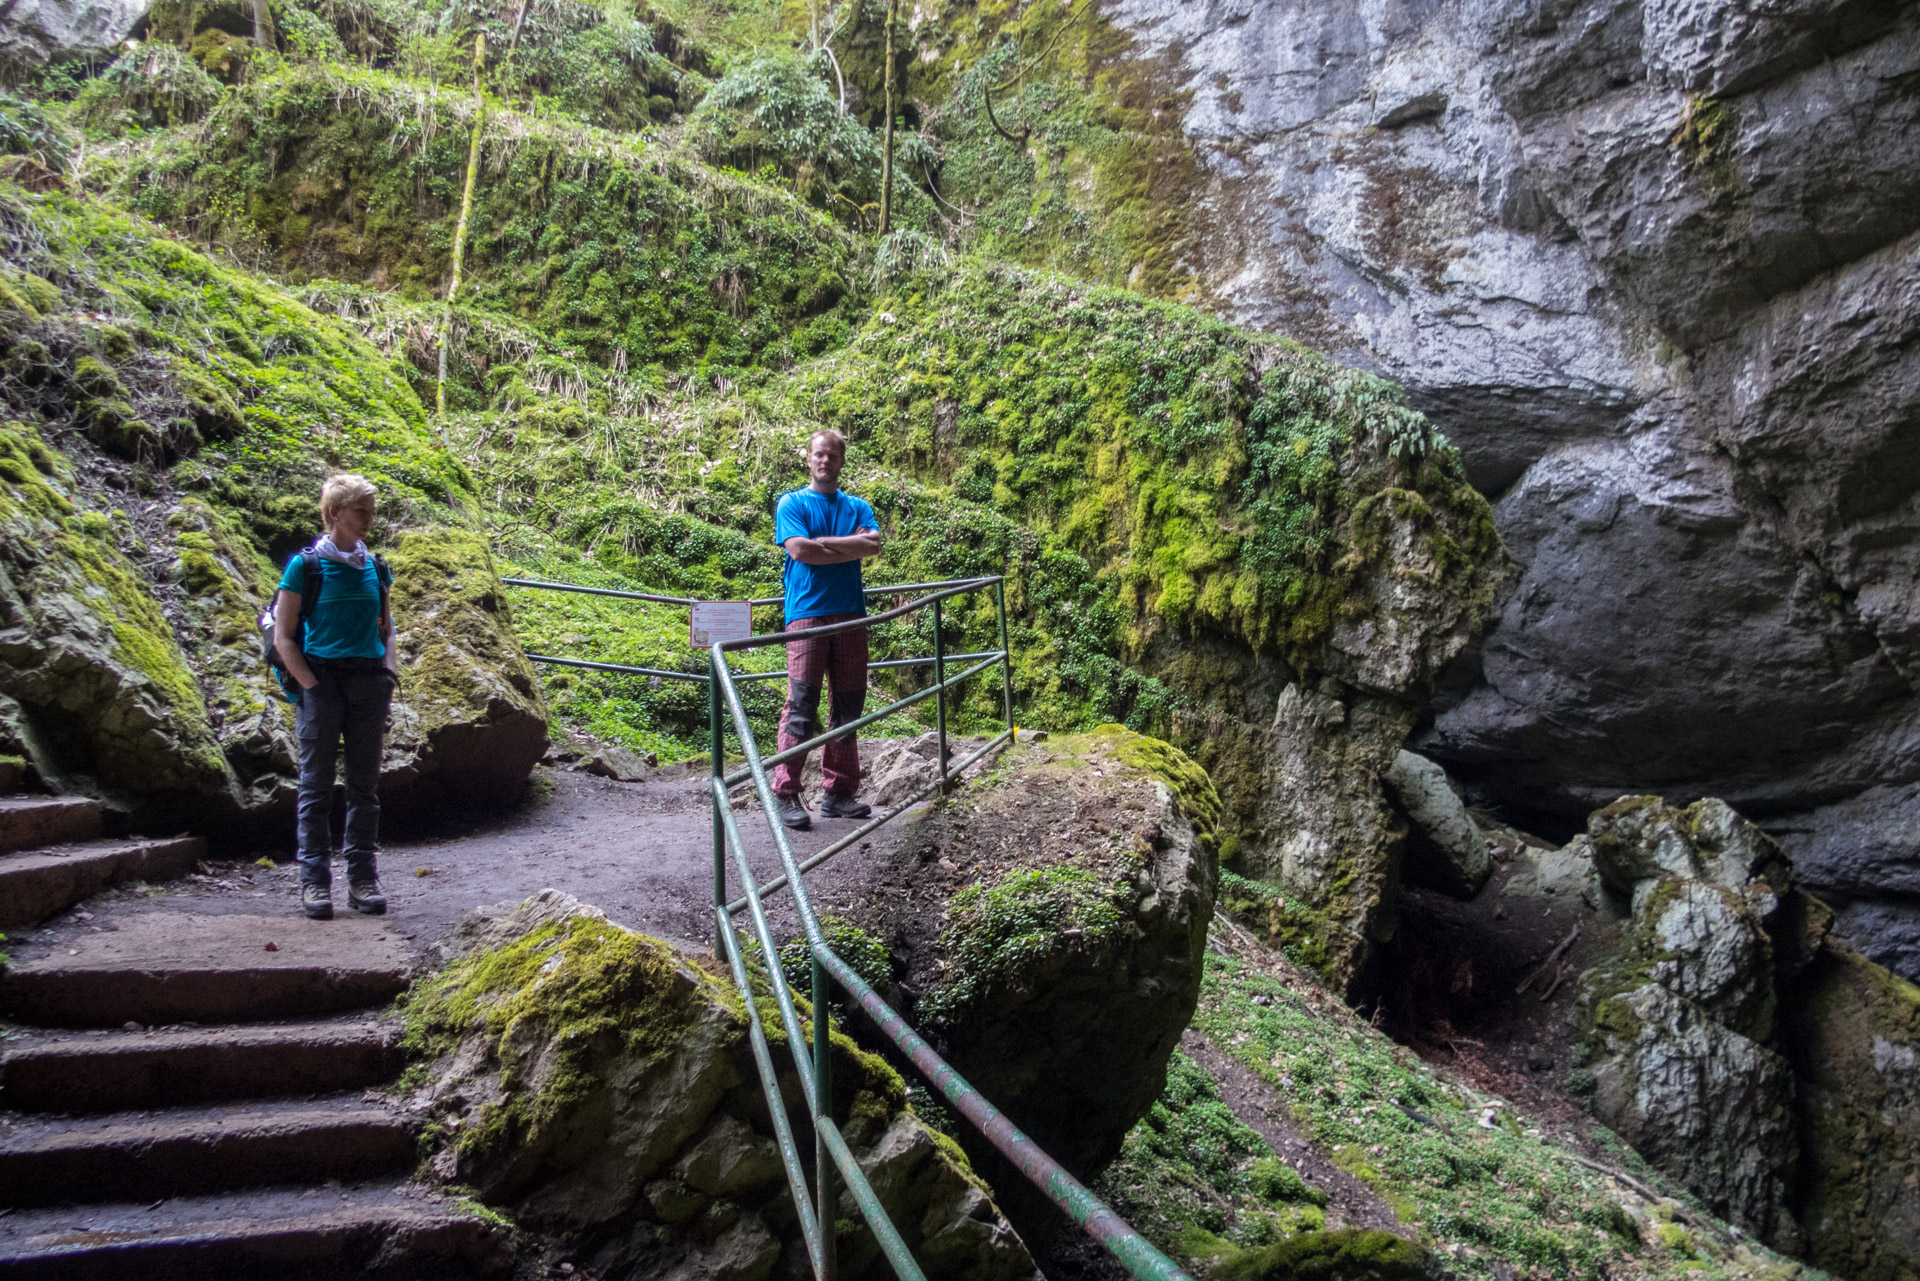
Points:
(825, 535)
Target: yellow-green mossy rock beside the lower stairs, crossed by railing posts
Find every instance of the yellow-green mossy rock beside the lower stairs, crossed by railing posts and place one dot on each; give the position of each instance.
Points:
(598, 1086)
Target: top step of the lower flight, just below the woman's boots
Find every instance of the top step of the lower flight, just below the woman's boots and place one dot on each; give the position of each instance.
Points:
(164, 967)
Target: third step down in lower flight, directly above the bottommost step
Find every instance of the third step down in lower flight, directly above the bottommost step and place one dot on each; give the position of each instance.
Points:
(187, 1151)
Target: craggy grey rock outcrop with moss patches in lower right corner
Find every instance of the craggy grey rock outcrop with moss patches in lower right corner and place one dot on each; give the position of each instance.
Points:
(1746, 1050)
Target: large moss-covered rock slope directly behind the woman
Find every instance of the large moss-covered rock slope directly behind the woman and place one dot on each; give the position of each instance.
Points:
(168, 427)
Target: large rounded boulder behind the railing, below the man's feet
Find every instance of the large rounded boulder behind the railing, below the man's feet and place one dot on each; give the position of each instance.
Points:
(1051, 921)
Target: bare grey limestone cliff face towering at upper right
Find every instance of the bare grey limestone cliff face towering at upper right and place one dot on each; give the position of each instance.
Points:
(1654, 268)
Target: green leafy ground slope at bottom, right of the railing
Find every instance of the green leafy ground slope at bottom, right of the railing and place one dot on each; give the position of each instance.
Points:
(1477, 1186)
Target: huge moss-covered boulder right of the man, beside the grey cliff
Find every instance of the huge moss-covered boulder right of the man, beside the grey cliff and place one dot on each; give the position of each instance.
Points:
(1284, 548)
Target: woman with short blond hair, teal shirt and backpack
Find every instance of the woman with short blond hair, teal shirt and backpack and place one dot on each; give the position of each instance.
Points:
(343, 660)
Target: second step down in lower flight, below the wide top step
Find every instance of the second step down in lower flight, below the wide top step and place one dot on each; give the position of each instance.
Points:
(124, 1071)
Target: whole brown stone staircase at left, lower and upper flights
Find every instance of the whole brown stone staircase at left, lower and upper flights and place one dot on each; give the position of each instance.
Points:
(191, 1094)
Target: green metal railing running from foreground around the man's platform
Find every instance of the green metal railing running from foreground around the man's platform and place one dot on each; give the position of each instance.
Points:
(832, 1157)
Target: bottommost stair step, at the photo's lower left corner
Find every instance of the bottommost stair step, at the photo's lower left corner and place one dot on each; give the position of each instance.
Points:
(372, 1234)
